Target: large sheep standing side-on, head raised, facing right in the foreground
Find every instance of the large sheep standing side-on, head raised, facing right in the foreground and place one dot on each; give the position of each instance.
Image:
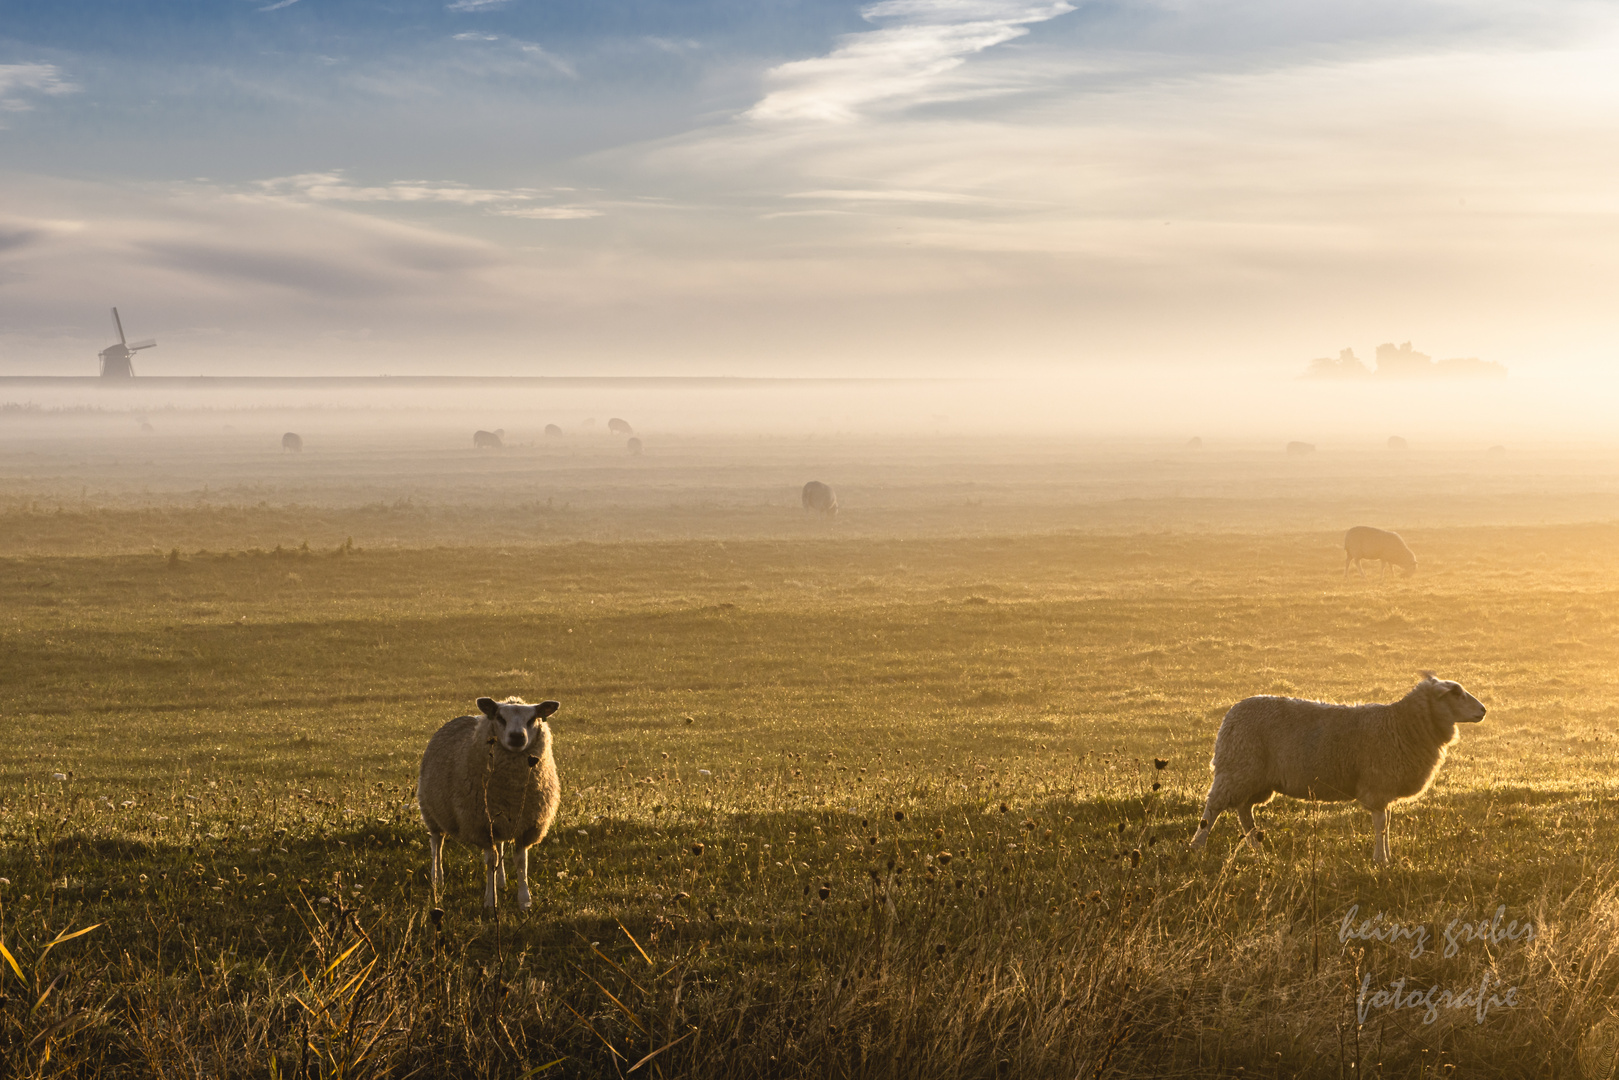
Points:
(1370, 754)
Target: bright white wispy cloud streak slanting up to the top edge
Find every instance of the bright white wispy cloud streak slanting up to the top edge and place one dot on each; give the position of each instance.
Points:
(901, 64)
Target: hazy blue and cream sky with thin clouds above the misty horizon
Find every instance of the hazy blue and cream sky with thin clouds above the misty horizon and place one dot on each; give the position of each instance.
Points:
(805, 187)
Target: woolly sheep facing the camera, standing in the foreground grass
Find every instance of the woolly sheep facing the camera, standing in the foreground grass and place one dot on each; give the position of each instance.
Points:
(487, 781)
